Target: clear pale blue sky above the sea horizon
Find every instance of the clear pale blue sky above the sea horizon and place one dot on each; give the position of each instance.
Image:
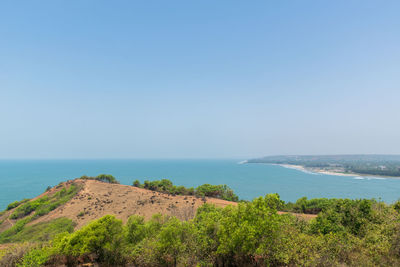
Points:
(198, 79)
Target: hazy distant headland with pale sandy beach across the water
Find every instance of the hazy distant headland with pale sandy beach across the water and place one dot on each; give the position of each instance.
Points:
(345, 165)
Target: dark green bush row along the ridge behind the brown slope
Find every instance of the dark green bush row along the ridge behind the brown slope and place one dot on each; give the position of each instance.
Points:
(205, 190)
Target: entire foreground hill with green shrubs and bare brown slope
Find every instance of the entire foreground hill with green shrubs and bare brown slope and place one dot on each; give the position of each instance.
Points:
(95, 220)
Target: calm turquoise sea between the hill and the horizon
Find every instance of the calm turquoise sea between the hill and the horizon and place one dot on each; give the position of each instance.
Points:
(26, 179)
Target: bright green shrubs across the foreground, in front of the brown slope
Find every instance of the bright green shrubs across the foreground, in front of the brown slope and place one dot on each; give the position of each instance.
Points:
(345, 233)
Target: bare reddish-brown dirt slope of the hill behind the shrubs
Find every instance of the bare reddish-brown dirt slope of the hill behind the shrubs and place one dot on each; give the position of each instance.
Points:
(97, 199)
